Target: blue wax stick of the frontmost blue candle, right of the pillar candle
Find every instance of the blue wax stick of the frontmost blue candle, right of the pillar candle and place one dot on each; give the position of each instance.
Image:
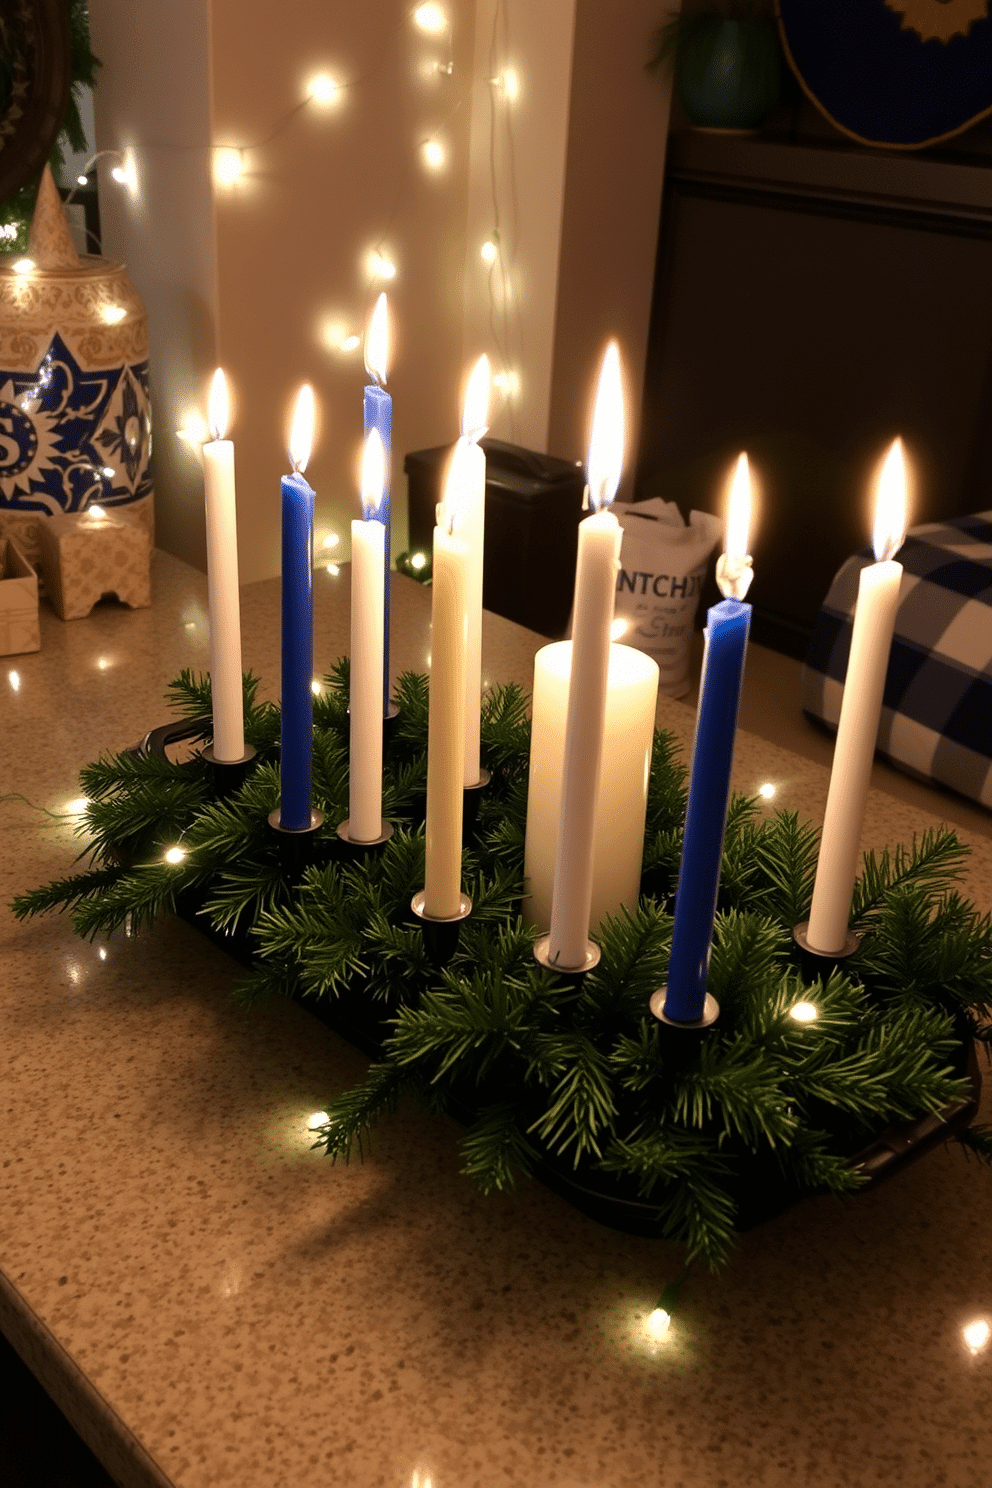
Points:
(728, 627)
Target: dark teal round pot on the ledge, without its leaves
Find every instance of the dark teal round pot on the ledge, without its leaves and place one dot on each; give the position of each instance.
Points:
(729, 74)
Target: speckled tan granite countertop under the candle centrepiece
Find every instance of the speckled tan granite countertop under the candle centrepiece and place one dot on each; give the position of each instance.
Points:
(210, 1303)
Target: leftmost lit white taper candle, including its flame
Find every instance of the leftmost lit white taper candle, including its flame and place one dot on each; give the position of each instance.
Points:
(222, 580)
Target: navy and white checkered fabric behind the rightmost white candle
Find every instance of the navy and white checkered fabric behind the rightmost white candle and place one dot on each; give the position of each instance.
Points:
(938, 708)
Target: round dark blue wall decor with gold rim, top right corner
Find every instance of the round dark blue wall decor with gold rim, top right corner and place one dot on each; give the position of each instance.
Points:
(902, 74)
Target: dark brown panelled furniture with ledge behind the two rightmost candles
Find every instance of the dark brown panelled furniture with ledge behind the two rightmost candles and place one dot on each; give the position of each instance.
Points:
(813, 300)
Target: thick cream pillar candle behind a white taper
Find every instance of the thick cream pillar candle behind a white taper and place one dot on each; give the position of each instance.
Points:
(621, 804)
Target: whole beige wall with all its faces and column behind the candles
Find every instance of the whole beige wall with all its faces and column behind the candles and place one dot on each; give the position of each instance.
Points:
(252, 276)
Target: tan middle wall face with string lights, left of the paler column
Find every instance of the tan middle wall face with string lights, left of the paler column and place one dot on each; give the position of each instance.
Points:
(292, 242)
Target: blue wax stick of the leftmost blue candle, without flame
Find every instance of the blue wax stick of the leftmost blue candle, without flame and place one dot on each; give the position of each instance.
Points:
(298, 654)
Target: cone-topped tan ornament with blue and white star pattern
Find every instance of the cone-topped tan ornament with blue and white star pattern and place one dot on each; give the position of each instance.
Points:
(75, 416)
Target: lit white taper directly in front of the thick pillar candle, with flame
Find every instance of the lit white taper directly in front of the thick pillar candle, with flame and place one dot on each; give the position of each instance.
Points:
(593, 620)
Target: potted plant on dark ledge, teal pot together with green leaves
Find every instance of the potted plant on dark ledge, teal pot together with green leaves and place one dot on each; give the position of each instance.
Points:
(728, 62)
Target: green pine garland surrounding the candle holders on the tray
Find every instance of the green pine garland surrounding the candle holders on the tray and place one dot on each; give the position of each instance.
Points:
(573, 1080)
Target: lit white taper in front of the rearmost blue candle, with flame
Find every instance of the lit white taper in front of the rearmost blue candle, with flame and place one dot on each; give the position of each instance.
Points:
(368, 606)
